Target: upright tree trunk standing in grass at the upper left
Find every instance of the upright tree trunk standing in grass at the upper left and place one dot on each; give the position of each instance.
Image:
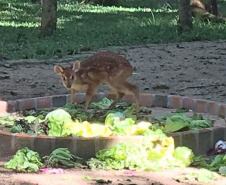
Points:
(49, 17)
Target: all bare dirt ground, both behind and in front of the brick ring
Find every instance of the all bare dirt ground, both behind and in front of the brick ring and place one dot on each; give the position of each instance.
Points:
(196, 69)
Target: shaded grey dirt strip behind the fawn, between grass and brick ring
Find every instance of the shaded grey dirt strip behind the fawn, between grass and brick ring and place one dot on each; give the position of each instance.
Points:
(196, 69)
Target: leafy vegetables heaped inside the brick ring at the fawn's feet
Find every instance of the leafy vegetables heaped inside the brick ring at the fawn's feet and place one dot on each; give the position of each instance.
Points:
(98, 121)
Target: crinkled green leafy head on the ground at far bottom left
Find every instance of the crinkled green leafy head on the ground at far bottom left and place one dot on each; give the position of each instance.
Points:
(25, 160)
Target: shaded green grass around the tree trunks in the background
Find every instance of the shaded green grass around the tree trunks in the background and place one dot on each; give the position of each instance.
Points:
(86, 27)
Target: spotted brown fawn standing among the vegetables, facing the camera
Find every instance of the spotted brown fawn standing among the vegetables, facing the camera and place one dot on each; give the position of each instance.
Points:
(102, 67)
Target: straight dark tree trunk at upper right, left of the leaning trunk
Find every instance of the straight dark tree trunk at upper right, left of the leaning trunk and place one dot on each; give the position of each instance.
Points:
(185, 17)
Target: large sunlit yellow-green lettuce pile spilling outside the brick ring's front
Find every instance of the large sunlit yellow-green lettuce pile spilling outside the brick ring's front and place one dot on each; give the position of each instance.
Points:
(155, 153)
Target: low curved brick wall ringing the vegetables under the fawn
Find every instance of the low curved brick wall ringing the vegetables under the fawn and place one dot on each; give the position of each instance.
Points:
(199, 141)
